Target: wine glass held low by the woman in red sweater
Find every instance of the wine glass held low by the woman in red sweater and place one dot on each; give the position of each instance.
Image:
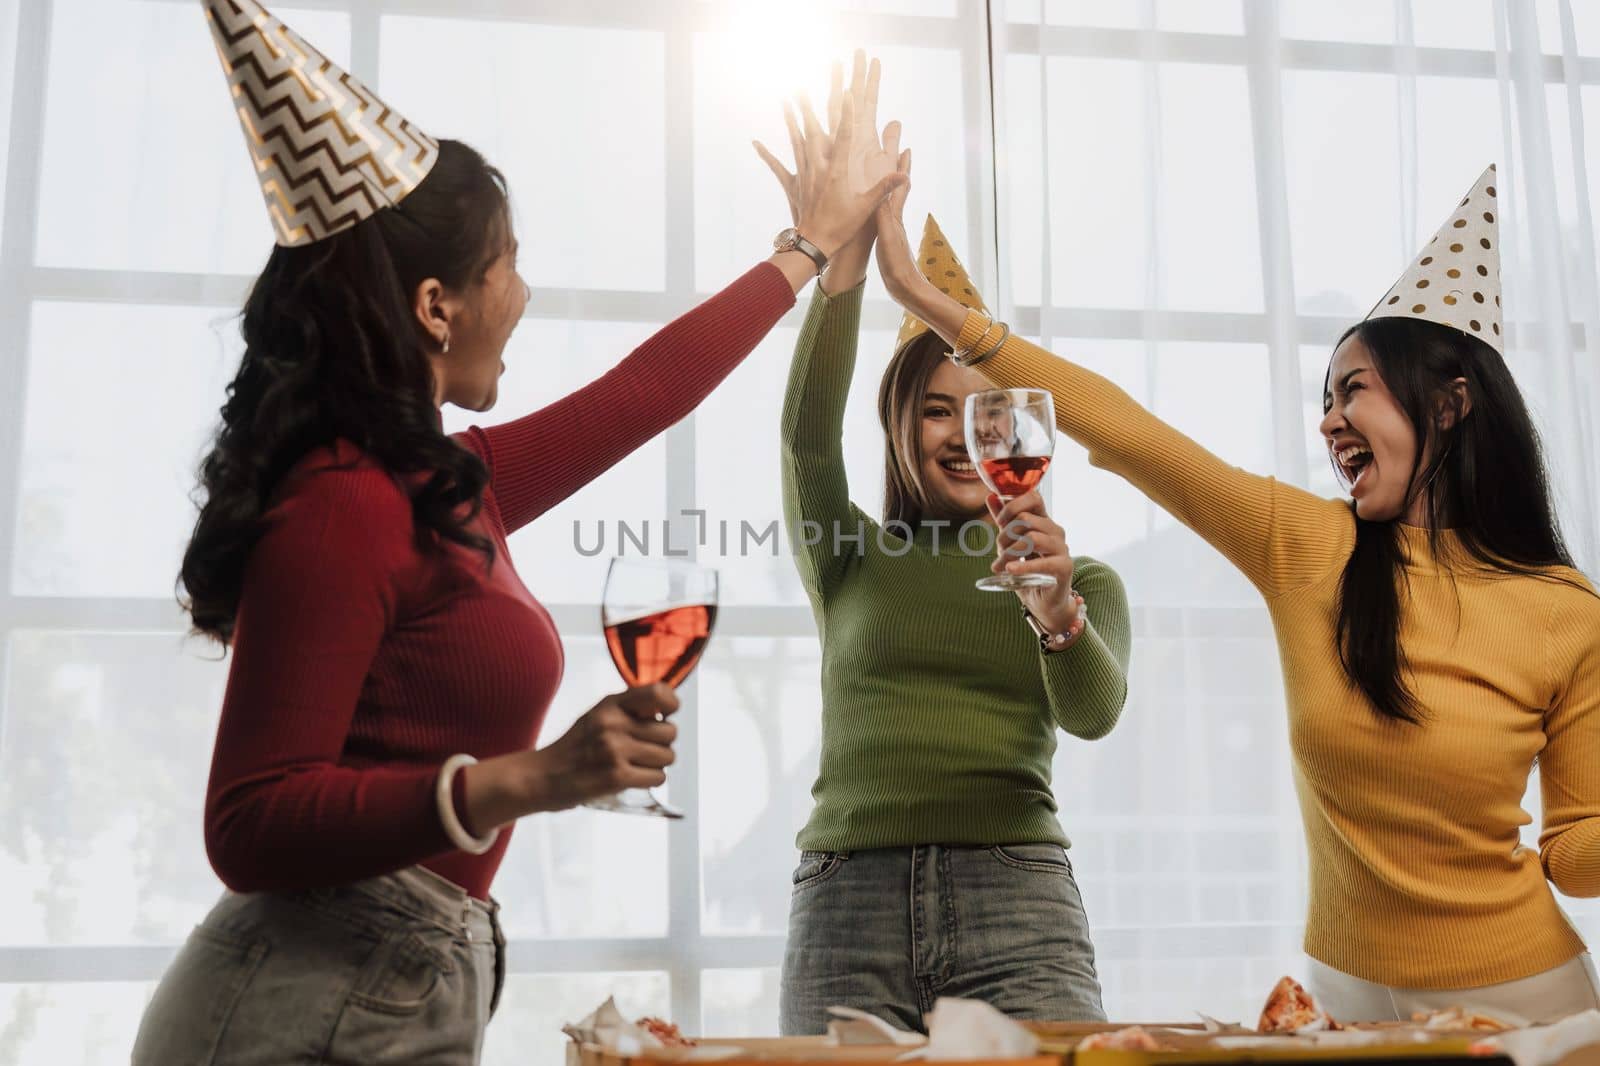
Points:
(657, 617)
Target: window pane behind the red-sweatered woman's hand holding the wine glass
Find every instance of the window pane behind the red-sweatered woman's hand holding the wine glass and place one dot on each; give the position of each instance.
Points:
(585, 873)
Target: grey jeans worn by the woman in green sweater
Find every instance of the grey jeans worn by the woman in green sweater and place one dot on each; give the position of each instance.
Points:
(894, 929)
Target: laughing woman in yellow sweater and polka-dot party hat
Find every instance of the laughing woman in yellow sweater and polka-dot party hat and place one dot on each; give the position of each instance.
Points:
(1434, 635)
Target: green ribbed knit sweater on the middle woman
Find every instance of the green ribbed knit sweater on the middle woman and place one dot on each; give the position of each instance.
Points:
(940, 711)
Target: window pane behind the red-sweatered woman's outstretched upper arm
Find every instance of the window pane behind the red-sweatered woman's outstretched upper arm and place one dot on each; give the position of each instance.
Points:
(562, 556)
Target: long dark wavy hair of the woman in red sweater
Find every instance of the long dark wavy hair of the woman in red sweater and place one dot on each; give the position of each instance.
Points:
(335, 353)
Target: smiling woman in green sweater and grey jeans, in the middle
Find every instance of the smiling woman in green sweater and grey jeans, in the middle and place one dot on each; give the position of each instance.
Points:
(934, 864)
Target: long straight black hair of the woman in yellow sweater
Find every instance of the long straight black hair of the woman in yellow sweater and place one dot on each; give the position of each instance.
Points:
(1484, 481)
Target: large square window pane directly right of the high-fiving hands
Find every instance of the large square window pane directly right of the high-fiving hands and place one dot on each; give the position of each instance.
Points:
(1199, 252)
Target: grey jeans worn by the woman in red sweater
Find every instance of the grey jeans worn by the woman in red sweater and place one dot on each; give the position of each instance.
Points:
(398, 969)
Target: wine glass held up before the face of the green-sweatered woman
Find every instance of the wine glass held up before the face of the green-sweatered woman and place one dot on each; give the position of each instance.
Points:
(1010, 436)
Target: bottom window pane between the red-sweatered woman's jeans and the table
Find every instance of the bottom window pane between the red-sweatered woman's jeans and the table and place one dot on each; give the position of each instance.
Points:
(527, 1030)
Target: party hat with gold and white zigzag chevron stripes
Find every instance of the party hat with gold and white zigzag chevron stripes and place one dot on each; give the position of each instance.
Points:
(327, 151)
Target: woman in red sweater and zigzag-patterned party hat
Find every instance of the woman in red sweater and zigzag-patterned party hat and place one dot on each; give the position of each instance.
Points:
(390, 668)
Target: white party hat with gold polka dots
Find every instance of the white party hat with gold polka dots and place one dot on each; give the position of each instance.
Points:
(1455, 279)
